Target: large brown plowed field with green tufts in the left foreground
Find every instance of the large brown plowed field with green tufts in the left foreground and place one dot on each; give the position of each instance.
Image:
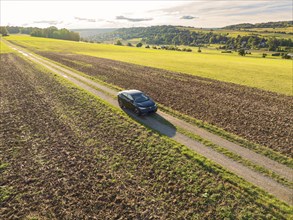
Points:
(67, 155)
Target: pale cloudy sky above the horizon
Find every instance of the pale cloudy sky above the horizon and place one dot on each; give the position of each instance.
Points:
(117, 14)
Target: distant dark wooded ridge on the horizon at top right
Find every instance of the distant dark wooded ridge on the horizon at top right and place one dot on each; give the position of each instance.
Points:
(278, 24)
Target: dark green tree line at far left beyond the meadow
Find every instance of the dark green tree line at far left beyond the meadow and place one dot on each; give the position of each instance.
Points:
(50, 32)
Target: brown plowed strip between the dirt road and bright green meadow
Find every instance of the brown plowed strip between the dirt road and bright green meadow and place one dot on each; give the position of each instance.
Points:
(262, 117)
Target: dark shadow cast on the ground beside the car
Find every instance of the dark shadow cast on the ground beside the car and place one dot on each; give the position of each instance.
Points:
(155, 122)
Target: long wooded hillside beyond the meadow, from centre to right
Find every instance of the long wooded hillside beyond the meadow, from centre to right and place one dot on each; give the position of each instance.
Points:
(172, 35)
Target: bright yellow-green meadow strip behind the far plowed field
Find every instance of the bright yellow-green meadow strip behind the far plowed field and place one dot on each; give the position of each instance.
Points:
(264, 73)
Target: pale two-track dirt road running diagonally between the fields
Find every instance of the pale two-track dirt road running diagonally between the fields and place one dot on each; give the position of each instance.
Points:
(105, 93)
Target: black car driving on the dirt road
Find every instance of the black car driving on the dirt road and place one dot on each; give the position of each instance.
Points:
(136, 101)
